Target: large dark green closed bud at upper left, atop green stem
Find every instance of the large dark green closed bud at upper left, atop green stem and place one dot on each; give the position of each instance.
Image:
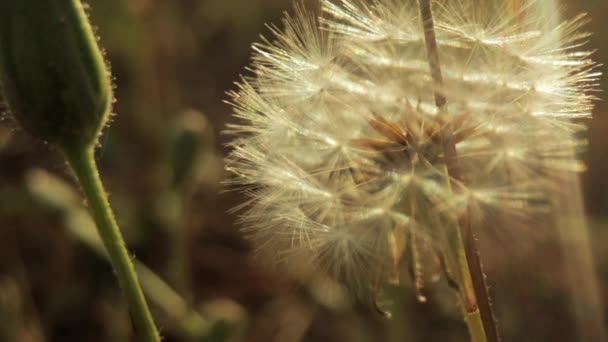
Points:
(52, 73)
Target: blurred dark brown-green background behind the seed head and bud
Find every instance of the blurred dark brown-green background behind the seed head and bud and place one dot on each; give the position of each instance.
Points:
(161, 161)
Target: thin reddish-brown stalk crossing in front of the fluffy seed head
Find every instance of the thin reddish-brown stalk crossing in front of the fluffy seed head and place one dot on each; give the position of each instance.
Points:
(477, 300)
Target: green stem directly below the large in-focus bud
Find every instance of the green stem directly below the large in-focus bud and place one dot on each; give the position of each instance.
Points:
(85, 170)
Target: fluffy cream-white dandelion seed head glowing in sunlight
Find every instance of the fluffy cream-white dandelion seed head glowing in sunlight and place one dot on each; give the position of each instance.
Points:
(339, 143)
